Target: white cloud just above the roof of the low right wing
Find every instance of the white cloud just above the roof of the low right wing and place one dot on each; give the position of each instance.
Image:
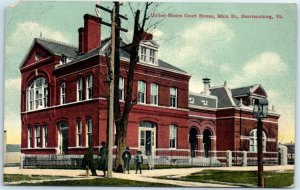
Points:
(263, 67)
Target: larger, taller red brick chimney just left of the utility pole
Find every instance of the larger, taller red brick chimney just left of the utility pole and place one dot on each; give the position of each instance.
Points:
(91, 33)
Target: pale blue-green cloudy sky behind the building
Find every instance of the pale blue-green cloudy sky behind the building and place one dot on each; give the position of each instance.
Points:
(239, 51)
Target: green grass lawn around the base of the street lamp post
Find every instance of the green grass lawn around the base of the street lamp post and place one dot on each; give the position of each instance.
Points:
(273, 179)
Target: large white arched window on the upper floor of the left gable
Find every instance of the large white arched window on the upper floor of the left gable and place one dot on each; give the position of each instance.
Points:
(37, 94)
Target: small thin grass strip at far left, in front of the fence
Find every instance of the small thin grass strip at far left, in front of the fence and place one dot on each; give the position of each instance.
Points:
(20, 177)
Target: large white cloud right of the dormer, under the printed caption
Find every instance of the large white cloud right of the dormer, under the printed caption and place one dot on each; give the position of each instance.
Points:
(202, 44)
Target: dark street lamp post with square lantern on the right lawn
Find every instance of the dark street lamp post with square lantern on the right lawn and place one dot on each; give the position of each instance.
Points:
(260, 111)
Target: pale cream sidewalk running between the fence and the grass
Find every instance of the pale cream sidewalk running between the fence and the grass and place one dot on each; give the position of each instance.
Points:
(147, 176)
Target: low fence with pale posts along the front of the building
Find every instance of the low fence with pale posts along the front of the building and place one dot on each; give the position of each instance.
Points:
(160, 159)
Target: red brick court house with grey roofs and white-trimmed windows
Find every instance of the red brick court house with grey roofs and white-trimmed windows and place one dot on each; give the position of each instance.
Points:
(64, 105)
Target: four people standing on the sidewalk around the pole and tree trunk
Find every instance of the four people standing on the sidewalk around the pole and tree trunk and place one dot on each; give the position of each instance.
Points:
(88, 161)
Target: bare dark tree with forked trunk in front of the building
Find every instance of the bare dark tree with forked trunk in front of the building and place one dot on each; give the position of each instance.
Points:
(121, 115)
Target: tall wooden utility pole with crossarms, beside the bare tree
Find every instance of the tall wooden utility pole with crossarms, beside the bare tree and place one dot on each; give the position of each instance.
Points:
(114, 26)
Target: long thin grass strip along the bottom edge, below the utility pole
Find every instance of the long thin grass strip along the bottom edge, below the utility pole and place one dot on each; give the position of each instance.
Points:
(113, 182)
